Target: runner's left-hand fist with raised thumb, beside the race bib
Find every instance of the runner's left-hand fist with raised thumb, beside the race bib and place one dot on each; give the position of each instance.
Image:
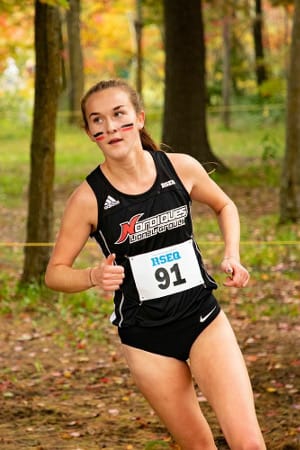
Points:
(108, 276)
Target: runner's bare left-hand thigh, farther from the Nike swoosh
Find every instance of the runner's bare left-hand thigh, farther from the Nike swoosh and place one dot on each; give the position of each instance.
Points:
(168, 386)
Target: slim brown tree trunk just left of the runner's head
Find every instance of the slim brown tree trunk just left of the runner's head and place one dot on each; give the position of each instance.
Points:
(76, 78)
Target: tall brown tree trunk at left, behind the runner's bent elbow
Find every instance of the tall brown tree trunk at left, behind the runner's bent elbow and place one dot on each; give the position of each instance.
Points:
(47, 88)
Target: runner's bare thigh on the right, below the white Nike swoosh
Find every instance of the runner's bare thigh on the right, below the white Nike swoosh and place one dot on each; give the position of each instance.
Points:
(220, 371)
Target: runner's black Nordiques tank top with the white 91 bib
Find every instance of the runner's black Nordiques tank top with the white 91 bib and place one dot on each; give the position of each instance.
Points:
(149, 233)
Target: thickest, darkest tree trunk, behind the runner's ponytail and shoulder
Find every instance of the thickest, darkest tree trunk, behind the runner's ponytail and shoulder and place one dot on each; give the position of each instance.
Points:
(184, 122)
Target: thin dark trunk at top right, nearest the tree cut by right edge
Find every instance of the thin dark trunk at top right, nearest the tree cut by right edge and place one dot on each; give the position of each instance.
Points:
(260, 68)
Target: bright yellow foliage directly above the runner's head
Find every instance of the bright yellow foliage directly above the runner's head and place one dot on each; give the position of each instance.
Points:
(109, 40)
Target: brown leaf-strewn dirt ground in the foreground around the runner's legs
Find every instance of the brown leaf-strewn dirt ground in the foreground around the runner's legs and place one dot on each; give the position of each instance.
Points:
(60, 391)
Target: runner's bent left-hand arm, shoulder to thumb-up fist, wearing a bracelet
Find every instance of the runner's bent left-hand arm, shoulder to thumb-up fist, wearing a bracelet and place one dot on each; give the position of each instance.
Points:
(79, 218)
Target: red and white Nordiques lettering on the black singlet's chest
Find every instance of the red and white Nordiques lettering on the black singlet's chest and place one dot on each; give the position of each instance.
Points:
(137, 230)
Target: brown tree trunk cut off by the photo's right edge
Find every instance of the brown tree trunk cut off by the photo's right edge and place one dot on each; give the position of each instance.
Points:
(290, 178)
